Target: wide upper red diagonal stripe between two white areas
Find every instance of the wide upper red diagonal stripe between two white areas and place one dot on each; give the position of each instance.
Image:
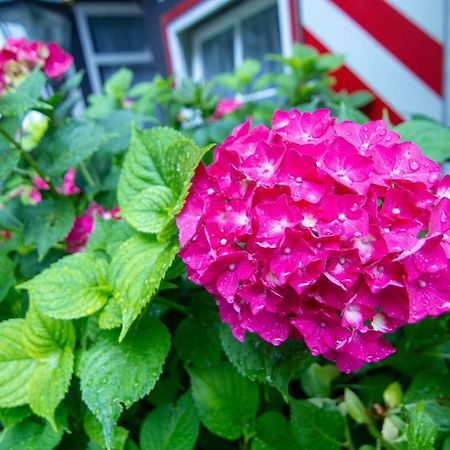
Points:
(413, 47)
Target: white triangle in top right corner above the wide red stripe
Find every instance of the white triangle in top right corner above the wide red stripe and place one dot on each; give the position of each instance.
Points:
(426, 14)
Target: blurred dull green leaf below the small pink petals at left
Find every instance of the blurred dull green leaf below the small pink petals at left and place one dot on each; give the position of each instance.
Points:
(47, 223)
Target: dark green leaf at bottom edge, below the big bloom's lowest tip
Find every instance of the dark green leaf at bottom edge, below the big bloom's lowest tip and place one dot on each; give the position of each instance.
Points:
(317, 425)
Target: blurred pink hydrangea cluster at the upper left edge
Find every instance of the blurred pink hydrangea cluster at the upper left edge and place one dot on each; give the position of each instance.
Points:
(19, 57)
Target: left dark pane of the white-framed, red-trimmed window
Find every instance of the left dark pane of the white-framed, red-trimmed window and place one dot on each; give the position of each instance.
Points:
(218, 54)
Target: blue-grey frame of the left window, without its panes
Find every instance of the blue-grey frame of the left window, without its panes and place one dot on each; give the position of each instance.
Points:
(94, 60)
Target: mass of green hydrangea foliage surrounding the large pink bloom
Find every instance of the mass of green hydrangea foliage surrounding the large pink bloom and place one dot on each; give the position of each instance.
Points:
(85, 339)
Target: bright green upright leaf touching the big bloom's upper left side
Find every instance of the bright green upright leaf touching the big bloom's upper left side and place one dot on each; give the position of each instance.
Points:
(156, 177)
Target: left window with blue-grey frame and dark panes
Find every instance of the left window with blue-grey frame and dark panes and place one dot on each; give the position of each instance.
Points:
(112, 36)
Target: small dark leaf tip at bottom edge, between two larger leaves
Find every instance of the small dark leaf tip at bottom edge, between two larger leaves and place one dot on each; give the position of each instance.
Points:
(273, 433)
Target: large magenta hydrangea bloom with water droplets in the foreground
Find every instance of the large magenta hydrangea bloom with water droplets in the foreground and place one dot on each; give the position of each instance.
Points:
(333, 233)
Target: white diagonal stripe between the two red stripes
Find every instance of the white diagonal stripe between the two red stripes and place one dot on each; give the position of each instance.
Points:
(380, 70)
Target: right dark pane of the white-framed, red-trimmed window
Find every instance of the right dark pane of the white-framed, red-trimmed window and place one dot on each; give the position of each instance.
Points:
(261, 35)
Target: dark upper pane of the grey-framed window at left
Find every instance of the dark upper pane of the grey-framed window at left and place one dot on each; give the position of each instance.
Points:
(118, 34)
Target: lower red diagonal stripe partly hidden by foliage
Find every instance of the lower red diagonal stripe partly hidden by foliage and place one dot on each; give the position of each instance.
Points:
(347, 80)
